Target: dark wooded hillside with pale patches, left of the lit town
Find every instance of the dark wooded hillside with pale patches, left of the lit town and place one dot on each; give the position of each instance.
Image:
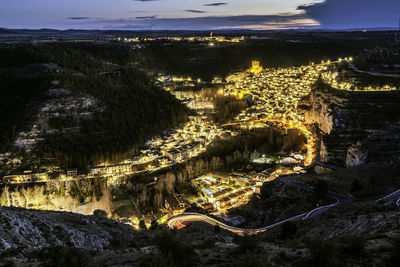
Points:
(67, 106)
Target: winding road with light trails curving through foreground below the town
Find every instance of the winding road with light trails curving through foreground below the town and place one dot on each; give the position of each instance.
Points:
(288, 180)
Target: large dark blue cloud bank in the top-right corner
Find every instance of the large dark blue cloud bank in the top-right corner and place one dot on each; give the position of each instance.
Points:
(345, 14)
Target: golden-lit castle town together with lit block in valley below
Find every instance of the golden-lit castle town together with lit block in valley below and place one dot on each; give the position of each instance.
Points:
(275, 94)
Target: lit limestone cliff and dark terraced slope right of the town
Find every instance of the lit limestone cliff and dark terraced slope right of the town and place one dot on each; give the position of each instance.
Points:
(355, 127)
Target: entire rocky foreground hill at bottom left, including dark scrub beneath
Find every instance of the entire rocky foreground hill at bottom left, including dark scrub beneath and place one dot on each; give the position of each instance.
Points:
(26, 235)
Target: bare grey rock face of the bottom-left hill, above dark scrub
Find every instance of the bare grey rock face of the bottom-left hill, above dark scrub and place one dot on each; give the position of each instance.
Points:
(32, 229)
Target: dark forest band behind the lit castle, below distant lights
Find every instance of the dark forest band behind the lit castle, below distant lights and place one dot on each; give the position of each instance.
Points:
(202, 61)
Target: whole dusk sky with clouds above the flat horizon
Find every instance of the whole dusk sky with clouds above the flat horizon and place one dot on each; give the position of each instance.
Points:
(199, 14)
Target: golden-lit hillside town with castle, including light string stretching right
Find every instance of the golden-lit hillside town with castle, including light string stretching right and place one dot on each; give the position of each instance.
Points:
(274, 92)
